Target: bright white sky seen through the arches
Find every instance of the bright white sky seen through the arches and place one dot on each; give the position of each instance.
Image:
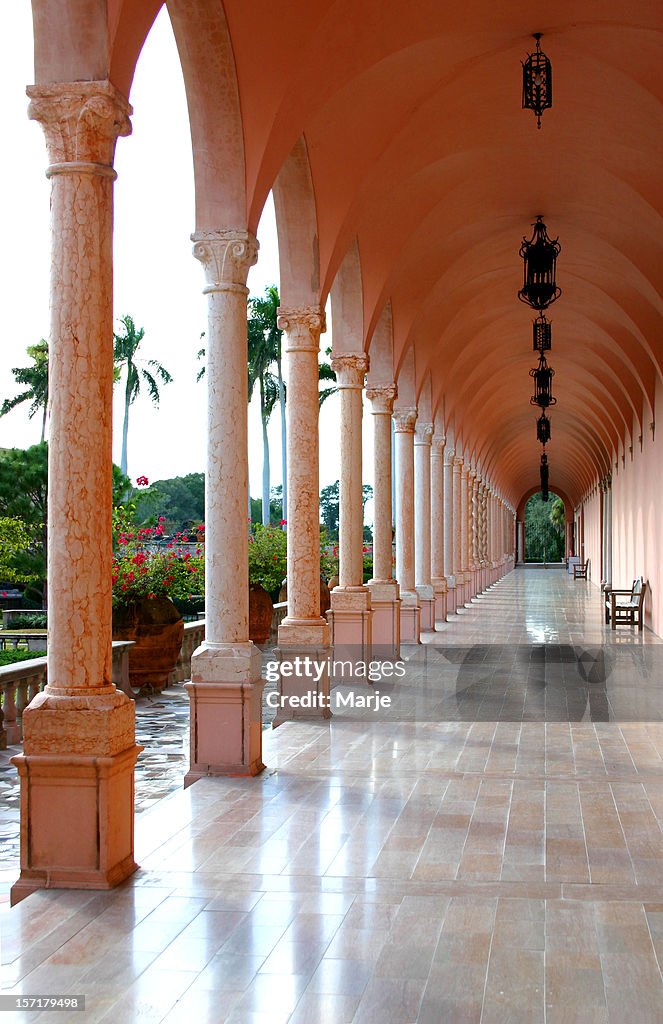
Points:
(156, 278)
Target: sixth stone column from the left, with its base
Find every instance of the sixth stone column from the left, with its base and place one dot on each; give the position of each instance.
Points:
(404, 422)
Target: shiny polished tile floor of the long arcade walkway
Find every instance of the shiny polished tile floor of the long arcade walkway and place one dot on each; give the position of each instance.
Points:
(490, 850)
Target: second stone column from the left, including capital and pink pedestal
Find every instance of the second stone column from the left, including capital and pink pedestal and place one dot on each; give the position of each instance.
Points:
(226, 689)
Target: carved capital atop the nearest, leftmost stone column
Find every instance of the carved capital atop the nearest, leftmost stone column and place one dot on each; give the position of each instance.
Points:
(81, 122)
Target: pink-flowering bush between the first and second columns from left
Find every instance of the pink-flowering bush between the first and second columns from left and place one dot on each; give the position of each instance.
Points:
(145, 568)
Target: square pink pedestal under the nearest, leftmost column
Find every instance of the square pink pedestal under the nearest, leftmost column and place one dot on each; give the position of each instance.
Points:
(76, 821)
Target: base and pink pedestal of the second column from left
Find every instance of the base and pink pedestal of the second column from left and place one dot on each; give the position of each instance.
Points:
(226, 696)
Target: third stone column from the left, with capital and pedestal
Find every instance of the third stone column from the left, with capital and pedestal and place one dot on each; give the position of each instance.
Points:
(304, 633)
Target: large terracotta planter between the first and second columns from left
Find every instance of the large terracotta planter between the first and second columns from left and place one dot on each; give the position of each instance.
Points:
(157, 629)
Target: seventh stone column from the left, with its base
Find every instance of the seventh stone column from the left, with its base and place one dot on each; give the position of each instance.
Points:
(423, 443)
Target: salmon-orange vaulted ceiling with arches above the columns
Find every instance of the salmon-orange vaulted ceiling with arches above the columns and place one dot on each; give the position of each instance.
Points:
(419, 149)
